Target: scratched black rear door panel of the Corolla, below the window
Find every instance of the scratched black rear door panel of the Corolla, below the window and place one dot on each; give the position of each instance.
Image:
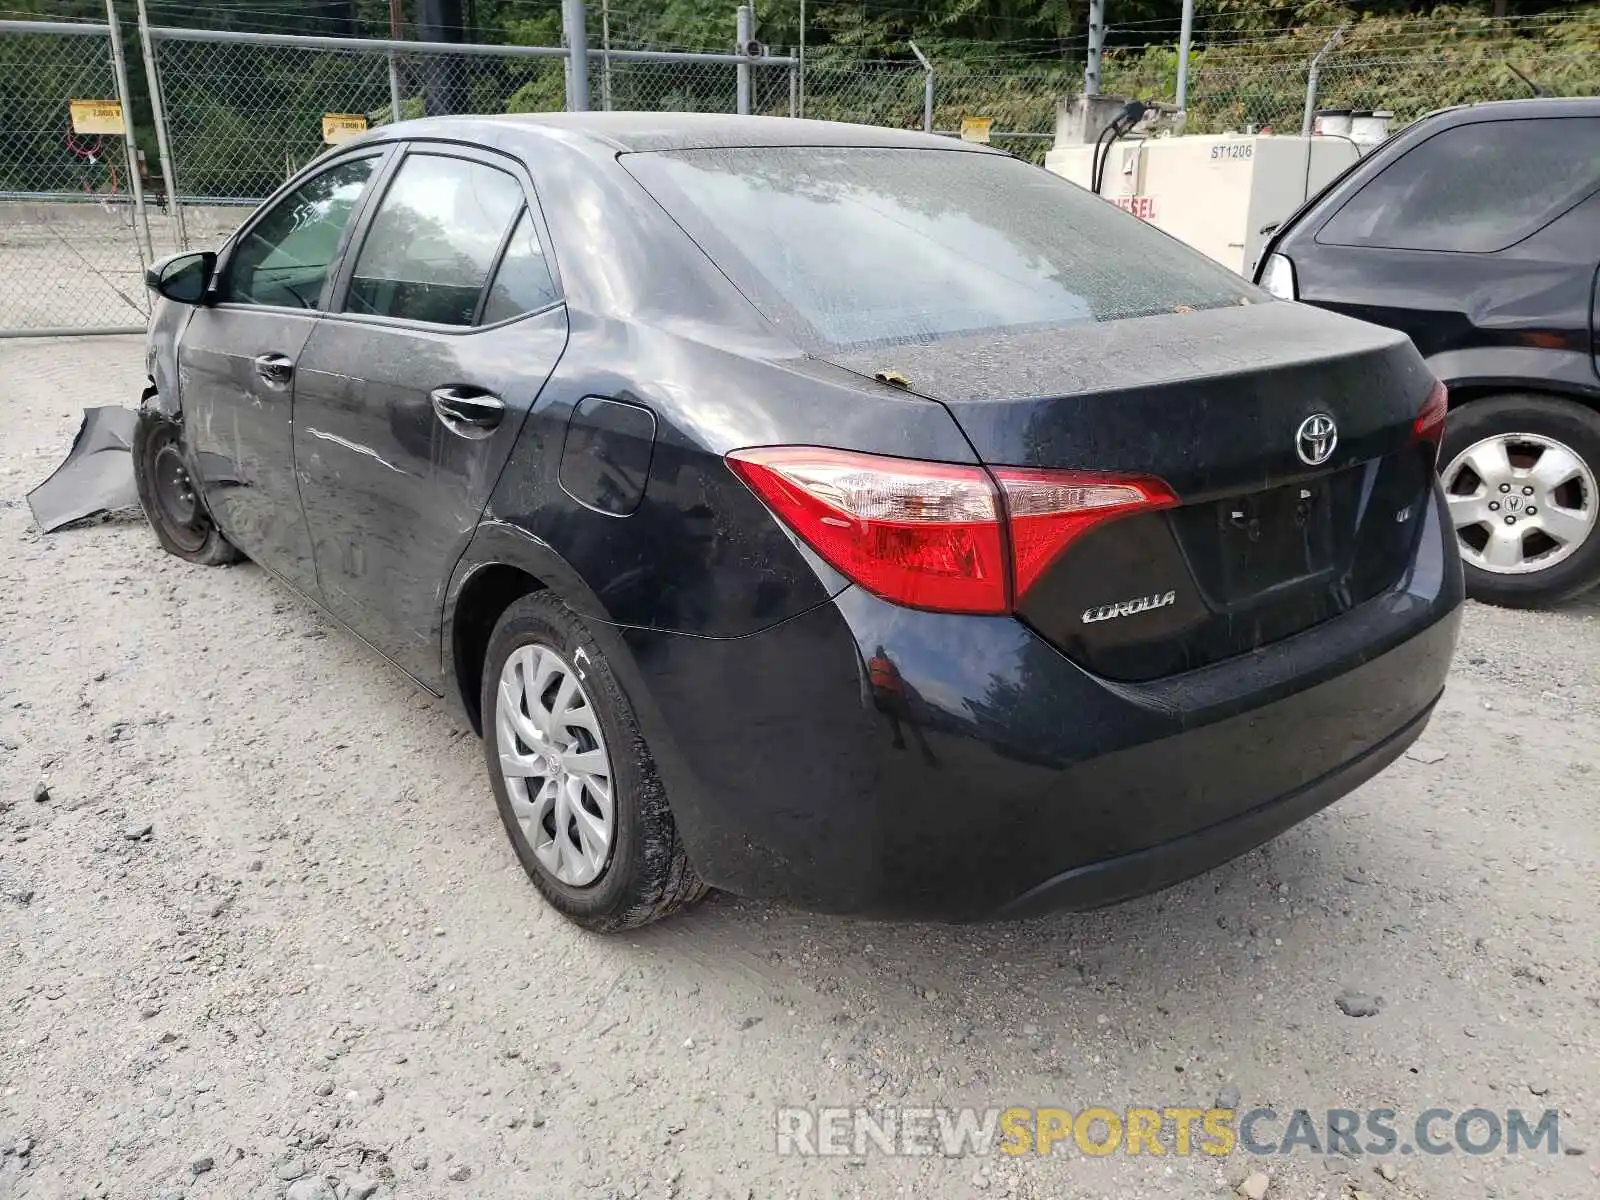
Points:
(391, 494)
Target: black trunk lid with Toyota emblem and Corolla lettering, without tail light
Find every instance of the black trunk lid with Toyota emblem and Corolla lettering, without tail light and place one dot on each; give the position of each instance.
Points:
(1225, 406)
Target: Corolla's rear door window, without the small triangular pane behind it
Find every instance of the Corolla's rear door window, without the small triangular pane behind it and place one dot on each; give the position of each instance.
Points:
(434, 239)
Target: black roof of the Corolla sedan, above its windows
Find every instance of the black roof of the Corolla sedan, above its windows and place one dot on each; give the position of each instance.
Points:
(674, 130)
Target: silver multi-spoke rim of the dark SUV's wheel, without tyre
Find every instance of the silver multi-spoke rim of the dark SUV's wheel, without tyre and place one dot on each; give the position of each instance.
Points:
(1521, 503)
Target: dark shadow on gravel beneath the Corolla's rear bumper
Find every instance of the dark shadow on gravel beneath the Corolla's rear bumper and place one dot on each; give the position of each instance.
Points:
(1193, 945)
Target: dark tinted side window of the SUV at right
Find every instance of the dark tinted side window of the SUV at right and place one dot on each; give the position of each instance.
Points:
(1474, 188)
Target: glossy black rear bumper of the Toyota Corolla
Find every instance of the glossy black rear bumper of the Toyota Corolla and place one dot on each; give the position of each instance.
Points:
(871, 759)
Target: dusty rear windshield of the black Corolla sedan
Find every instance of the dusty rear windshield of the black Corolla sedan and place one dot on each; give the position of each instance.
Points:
(863, 247)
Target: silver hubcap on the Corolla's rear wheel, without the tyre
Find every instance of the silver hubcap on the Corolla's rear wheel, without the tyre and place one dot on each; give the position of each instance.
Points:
(556, 766)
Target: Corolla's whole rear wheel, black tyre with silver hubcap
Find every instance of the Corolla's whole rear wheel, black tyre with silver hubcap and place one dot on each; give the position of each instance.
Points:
(636, 870)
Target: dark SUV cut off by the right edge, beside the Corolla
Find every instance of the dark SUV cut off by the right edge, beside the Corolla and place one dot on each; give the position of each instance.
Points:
(1478, 233)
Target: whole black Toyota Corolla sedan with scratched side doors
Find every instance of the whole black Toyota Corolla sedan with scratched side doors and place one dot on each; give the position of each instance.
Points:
(831, 514)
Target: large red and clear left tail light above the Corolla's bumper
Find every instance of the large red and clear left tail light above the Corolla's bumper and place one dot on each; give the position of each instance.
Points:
(943, 537)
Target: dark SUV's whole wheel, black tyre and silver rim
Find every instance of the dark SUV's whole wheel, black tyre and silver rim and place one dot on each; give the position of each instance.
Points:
(1521, 478)
